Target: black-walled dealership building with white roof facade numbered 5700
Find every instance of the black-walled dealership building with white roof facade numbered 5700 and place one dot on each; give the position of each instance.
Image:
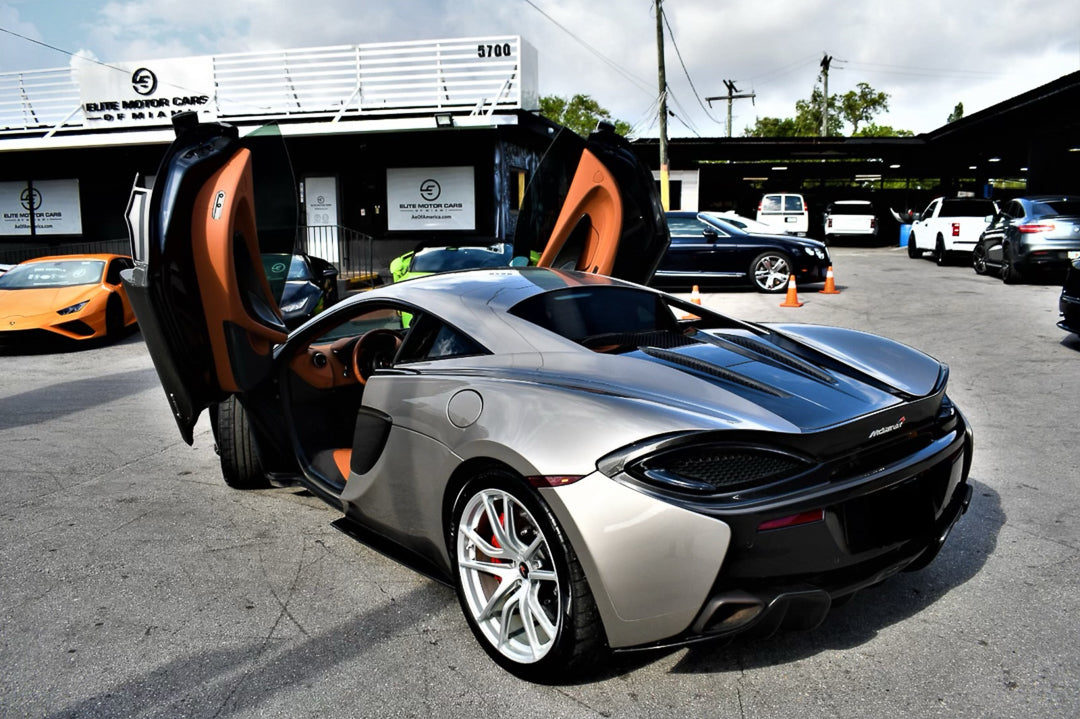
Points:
(391, 144)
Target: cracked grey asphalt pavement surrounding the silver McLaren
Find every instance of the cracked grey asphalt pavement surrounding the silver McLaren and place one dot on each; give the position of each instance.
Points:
(134, 584)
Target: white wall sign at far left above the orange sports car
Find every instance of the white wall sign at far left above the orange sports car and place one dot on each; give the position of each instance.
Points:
(55, 204)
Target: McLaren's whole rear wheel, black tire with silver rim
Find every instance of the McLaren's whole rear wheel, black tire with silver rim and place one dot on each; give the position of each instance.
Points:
(566, 639)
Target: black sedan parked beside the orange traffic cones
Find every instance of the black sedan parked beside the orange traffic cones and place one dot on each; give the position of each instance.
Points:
(706, 249)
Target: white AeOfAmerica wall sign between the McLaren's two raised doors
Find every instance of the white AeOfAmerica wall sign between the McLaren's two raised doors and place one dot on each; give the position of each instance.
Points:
(431, 199)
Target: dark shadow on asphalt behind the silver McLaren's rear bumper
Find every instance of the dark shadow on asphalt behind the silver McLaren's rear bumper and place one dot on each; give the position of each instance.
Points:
(872, 611)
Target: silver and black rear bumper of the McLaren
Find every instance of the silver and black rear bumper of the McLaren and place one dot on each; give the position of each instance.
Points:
(650, 560)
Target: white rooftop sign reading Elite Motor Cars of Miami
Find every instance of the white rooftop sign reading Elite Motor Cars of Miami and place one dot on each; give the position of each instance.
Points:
(142, 94)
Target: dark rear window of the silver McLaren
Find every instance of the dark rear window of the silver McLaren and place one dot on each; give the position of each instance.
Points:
(579, 314)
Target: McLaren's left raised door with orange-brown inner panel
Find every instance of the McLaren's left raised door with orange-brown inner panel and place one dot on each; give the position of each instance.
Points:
(199, 289)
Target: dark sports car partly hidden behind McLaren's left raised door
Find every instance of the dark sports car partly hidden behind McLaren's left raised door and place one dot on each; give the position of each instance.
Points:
(307, 286)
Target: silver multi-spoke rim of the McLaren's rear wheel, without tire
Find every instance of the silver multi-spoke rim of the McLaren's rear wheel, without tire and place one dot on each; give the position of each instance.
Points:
(508, 576)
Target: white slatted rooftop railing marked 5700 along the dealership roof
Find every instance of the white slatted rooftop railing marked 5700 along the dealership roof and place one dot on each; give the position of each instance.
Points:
(475, 76)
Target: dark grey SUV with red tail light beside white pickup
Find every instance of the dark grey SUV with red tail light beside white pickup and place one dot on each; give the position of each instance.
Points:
(1042, 233)
